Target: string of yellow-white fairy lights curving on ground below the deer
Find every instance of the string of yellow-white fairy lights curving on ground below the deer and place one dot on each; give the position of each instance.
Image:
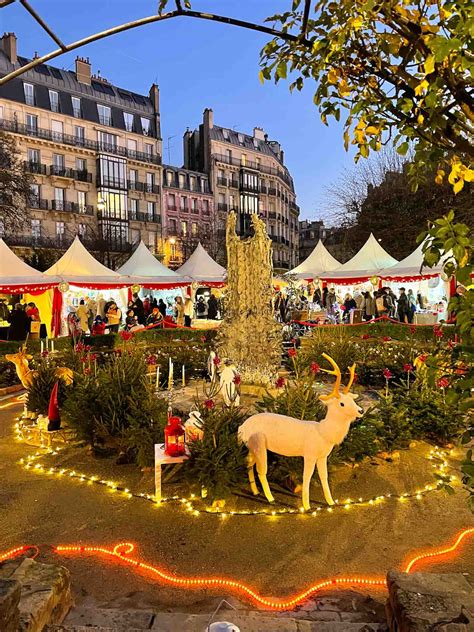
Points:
(195, 506)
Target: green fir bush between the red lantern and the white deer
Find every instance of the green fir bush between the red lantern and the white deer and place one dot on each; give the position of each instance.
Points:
(218, 463)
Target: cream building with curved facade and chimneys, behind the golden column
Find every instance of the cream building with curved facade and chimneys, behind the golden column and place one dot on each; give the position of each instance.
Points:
(247, 175)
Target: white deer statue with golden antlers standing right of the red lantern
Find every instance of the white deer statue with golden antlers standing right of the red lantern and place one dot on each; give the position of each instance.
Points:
(312, 440)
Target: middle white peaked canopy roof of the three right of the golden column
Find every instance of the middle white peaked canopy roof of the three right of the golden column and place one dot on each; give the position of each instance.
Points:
(370, 259)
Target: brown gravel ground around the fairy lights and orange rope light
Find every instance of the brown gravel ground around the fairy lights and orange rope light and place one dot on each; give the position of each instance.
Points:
(277, 556)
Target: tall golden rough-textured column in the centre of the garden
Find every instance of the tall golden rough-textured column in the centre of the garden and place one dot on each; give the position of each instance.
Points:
(249, 336)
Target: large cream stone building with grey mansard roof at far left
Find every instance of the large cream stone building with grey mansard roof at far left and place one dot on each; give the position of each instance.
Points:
(94, 151)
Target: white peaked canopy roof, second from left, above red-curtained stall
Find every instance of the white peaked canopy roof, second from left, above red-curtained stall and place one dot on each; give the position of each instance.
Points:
(79, 267)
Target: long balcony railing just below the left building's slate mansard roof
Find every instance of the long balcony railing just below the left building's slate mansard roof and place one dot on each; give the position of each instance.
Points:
(67, 139)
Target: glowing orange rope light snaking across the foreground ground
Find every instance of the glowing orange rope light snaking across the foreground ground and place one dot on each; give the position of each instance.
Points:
(123, 550)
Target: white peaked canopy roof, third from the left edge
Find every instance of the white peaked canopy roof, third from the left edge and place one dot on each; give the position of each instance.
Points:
(145, 269)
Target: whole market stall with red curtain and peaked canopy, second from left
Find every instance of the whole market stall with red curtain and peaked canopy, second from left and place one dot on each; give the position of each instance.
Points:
(83, 278)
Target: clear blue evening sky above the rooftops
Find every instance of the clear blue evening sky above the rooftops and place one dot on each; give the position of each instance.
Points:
(196, 64)
